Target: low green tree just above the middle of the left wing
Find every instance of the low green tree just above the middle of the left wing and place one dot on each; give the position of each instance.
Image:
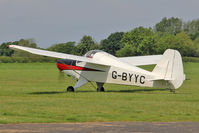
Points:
(68, 48)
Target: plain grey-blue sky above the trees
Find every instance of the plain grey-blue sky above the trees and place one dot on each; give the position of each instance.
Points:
(57, 21)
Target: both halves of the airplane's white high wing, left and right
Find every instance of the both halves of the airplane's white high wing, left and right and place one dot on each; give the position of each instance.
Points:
(135, 61)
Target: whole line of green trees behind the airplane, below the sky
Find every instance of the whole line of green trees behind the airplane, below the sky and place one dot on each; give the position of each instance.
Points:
(171, 33)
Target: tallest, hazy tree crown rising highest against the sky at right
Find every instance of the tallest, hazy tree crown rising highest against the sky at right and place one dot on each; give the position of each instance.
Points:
(171, 25)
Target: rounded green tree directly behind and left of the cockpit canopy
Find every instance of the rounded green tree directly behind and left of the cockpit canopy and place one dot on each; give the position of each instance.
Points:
(86, 44)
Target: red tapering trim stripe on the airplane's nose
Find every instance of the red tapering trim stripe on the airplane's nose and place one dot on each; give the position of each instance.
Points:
(70, 67)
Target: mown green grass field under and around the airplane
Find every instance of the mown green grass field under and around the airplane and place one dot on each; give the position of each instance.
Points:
(32, 92)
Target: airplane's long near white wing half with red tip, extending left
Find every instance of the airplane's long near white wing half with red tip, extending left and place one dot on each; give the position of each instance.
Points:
(58, 55)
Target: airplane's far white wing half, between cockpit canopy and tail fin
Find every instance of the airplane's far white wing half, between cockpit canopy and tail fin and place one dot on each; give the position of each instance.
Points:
(141, 60)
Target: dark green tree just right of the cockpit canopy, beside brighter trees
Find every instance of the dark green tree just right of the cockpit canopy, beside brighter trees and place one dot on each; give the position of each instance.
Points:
(112, 43)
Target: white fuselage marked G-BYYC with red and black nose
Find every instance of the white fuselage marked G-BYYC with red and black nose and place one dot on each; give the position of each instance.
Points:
(118, 73)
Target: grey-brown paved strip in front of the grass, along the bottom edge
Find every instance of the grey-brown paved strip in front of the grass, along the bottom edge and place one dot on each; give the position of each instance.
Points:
(101, 127)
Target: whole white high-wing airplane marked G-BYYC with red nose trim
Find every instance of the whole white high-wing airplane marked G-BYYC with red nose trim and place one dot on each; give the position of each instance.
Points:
(101, 67)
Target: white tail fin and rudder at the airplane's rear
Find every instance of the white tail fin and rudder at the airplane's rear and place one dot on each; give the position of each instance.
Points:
(170, 68)
